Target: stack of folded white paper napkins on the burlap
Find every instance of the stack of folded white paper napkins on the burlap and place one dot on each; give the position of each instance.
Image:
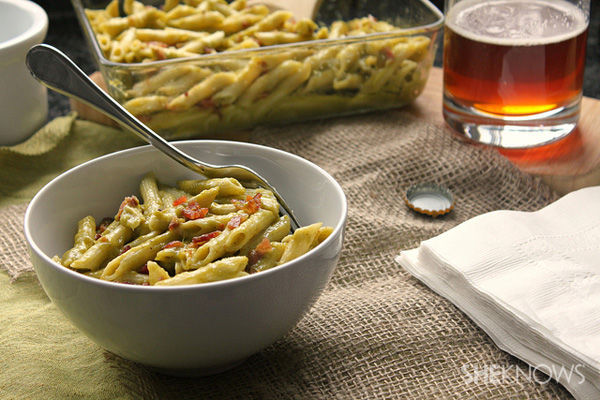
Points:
(531, 280)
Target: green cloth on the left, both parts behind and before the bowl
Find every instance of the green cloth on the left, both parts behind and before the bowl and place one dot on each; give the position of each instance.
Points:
(29, 369)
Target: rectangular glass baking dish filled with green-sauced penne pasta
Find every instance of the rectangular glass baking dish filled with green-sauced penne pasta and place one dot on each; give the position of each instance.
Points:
(197, 68)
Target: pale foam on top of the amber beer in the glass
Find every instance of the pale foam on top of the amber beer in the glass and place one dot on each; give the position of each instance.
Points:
(517, 22)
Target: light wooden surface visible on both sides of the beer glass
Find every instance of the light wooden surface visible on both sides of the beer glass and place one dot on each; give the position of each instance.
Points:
(566, 165)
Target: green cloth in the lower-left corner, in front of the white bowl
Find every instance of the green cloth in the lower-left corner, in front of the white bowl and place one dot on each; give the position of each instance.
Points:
(35, 338)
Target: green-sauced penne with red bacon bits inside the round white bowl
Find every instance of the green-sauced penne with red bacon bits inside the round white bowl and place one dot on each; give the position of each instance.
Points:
(200, 231)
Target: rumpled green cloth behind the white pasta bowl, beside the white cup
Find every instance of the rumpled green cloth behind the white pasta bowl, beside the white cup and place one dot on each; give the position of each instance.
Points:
(60, 145)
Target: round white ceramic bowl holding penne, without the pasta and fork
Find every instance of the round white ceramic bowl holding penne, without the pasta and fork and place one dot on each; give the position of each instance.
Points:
(188, 330)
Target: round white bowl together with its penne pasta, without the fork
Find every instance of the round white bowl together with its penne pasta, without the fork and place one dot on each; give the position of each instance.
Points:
(208, 264)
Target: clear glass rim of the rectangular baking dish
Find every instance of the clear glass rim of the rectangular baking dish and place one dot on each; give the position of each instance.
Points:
(103, 61)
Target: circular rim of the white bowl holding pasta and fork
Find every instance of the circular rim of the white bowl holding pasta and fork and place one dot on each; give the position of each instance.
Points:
(338, 230)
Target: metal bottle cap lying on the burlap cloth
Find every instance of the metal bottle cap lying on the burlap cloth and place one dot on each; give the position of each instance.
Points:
(429, 198)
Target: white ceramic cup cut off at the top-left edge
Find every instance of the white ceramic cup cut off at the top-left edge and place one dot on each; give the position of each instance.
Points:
(23, 100)
